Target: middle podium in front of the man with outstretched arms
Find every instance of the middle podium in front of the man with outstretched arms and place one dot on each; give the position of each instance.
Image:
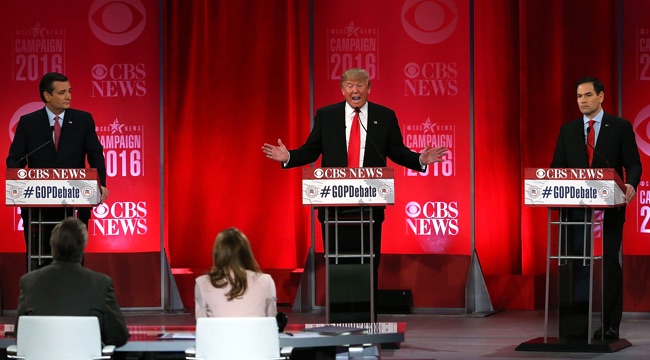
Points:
(348, 196)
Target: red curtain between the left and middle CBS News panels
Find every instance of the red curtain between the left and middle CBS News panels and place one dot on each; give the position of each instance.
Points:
(236, 76)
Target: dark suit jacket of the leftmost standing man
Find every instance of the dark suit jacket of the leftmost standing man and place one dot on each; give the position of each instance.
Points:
(78, 140)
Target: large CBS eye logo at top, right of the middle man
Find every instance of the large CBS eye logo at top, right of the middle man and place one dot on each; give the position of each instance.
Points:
(429, 21)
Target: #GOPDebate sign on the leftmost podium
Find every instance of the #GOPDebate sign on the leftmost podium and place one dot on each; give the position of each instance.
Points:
(52, 187)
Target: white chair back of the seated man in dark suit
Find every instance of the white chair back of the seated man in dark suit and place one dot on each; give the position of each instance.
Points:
(58, 338)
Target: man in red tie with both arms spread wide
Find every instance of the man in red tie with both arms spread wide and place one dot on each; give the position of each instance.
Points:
(380, 138)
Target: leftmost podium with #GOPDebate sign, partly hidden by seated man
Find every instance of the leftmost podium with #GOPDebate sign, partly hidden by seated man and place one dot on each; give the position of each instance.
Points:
(40, 192)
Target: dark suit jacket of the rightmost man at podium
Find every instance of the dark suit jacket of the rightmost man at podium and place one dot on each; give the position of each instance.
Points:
(615, 148)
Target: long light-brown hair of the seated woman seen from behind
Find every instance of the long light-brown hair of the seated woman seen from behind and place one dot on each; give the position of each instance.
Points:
(231, 257)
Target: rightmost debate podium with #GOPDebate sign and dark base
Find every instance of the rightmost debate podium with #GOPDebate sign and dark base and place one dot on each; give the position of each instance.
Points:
(574, 198)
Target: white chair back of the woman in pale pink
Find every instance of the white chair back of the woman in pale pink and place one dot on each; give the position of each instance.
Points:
(237, 338)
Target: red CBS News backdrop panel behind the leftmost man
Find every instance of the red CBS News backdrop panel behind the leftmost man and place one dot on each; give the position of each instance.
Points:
(110, 51)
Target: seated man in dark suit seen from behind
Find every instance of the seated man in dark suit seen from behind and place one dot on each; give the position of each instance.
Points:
(65, 288)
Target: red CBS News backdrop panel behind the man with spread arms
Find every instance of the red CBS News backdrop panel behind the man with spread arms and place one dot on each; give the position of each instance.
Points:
(417, 56)
